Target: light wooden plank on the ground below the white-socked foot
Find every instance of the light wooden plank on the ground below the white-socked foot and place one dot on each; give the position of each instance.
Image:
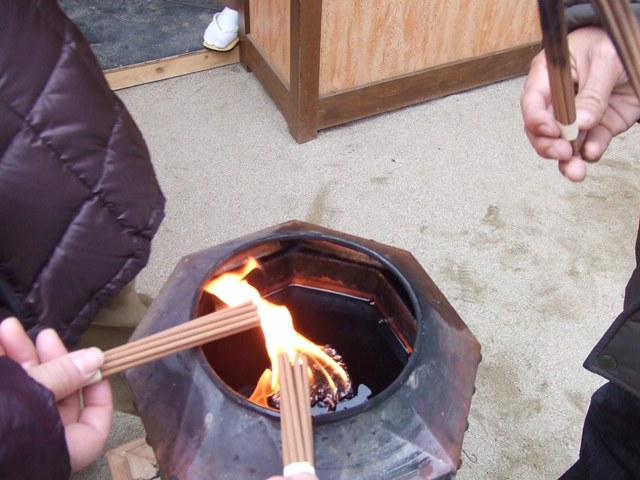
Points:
(169, 67)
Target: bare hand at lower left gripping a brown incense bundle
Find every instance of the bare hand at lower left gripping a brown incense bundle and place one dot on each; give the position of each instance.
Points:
(87, 423)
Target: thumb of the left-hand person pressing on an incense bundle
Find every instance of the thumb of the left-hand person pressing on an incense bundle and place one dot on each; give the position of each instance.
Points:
(68, 373)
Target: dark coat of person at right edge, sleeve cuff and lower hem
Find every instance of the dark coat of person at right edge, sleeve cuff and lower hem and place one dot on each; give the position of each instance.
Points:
(617, 355)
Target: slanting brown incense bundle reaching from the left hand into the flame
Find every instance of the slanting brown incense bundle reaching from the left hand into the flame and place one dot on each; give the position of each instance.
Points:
(196, 332)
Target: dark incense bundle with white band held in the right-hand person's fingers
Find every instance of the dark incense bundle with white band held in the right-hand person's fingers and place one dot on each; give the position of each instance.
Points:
(556, 48)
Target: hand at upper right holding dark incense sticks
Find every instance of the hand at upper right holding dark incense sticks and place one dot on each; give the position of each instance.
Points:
(606, 105)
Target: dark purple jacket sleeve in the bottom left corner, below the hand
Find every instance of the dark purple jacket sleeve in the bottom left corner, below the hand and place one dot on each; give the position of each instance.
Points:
(32, 441)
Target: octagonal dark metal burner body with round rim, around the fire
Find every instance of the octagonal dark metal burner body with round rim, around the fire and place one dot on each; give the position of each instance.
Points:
(200, 428)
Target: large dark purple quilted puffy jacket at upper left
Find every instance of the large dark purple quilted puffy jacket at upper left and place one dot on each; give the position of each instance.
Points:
(79, 200)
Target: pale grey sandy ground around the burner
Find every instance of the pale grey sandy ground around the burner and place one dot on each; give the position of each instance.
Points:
(535, 266)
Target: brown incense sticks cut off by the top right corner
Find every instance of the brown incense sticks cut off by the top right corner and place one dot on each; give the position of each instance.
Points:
(618, 18)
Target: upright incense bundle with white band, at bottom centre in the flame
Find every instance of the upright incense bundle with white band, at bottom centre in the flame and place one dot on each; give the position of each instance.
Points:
(295, 415)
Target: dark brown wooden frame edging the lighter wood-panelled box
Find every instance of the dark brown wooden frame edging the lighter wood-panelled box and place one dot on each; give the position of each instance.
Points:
(308, 110)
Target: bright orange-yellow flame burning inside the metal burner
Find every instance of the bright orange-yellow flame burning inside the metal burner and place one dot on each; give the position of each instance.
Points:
(280, 336)
